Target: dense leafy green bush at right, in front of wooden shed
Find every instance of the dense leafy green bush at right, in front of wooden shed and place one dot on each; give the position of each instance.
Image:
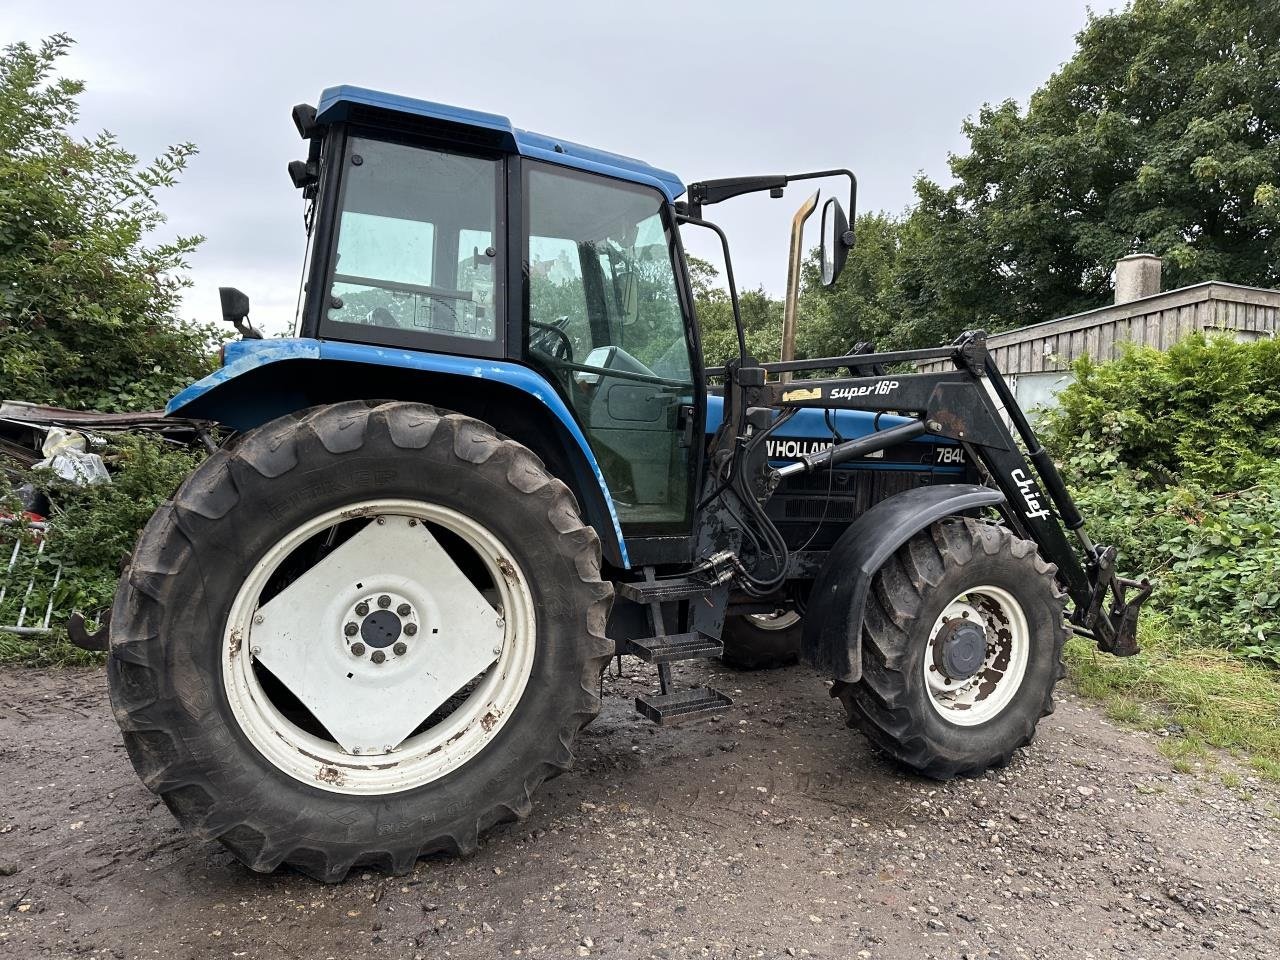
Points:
(1173, 459)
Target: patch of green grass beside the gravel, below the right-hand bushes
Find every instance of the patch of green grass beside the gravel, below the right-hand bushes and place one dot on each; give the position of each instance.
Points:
(1208, 698)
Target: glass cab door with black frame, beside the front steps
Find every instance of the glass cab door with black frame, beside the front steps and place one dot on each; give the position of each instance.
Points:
(607, 323)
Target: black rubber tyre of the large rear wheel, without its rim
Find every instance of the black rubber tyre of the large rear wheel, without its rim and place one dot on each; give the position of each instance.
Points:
(172, 609)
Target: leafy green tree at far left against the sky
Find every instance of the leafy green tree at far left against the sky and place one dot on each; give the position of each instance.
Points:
(86, 307)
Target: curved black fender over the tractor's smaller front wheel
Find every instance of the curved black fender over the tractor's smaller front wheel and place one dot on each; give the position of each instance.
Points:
(833, 639)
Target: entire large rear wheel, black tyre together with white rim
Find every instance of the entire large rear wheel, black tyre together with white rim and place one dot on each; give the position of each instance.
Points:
(307, 592)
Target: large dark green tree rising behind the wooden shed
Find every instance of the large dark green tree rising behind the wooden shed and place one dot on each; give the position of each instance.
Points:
(1162, 135)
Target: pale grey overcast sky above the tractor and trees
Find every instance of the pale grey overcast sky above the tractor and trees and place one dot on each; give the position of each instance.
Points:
(706, 90)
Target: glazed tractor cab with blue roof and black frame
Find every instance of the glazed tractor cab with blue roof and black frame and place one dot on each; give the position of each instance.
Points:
(452, 232)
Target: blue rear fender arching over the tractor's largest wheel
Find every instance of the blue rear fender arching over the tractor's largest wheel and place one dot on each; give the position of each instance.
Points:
(262, 381)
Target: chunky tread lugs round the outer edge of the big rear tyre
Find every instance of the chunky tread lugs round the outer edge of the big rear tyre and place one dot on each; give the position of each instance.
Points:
(139, 682)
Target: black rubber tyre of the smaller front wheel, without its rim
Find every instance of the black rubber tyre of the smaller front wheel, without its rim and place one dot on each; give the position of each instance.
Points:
(892, 703)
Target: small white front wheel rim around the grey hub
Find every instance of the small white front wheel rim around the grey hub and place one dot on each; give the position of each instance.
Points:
(986, 694)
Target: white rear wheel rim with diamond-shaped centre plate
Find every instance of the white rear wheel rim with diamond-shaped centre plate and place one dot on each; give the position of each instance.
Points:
(300, 636)
